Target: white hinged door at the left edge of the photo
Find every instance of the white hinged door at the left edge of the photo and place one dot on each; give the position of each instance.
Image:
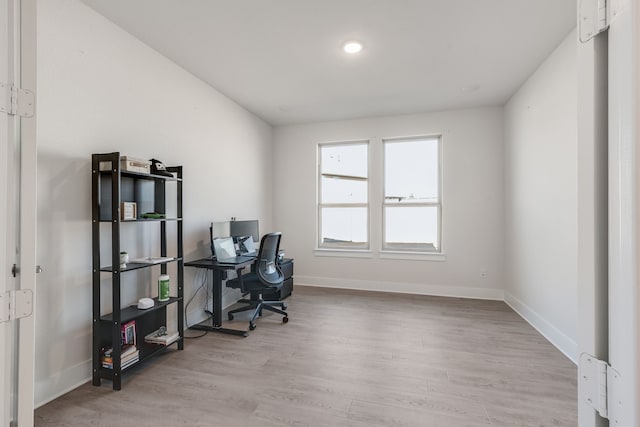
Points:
(17, 214)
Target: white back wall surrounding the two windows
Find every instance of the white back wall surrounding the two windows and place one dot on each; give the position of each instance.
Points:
(472, 205)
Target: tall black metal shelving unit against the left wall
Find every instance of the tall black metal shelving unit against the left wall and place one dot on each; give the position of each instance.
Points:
(111, 185)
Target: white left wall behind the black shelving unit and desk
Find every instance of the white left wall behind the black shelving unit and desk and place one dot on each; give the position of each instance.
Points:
(102, 90)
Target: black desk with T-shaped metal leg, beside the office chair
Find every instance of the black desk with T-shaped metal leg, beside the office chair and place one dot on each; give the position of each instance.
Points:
(219, 271)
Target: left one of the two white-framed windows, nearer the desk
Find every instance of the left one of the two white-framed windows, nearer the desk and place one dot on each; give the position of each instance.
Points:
(343, 196)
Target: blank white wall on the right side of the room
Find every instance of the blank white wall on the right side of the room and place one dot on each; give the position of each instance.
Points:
(541, 198)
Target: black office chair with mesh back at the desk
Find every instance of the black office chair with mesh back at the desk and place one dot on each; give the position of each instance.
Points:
(266, 278)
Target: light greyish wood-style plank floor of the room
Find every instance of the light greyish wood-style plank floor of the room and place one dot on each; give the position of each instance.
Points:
(346, 358)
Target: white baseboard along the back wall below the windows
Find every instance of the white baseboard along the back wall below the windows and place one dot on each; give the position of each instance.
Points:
(402, 287)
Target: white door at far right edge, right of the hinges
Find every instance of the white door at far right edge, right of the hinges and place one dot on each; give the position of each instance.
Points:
(624, 212)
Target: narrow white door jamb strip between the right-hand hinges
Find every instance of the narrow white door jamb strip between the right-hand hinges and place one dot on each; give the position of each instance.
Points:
(592, 206)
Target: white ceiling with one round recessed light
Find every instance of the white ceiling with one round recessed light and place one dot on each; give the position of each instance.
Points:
(282, 59)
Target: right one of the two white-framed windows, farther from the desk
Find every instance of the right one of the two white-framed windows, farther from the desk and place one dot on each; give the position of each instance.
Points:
(412, 206)
